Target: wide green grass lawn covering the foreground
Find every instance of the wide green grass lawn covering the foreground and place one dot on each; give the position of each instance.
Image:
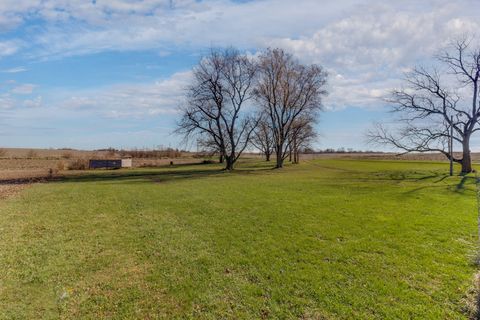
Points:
(327, 239)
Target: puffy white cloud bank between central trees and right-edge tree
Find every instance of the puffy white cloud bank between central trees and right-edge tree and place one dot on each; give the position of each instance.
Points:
(368, 51)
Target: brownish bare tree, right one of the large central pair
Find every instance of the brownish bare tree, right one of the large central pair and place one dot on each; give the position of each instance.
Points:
(286, 91)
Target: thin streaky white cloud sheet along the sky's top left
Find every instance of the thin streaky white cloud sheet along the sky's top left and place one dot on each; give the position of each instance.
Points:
(79, 27)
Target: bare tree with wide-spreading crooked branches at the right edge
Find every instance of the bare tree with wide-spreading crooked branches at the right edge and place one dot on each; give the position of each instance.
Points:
(434, 102)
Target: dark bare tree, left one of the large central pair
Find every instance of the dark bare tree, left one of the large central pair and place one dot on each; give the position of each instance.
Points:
(215, 109)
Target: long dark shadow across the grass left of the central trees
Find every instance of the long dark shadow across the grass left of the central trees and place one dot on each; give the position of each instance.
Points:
(158, 175)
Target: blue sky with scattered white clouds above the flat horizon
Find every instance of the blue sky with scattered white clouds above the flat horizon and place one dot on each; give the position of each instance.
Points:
(112, 73)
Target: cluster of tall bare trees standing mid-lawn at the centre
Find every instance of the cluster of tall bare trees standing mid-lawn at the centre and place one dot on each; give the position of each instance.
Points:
(236, 101)
